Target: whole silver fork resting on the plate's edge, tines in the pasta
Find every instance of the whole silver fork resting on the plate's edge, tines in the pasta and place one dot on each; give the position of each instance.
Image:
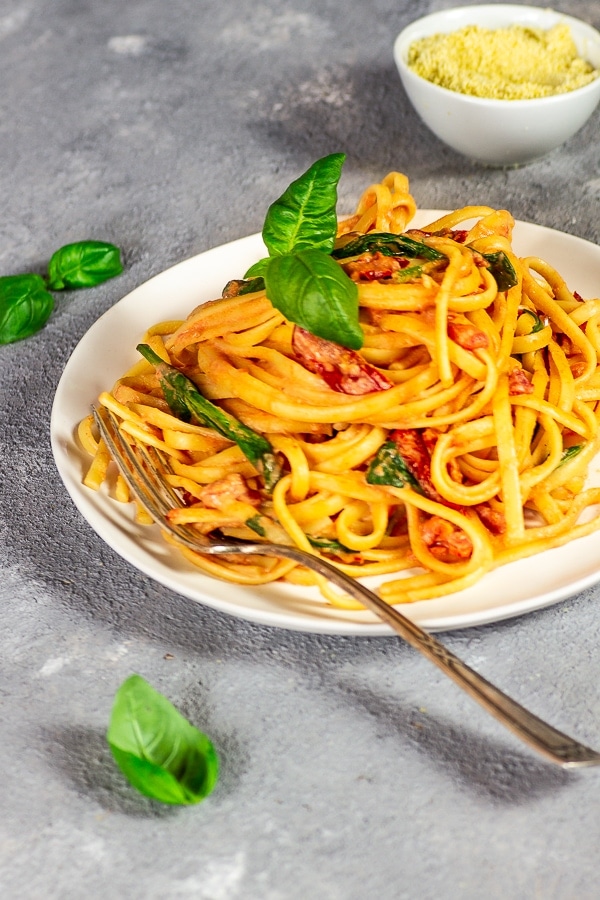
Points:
(143, 469)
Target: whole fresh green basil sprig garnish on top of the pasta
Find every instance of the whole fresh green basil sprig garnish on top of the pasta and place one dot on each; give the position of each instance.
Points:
(302, 280)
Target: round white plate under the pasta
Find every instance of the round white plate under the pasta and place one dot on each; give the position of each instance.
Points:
(108, 349)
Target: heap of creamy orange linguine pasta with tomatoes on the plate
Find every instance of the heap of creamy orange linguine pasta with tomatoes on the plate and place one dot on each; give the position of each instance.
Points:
(456, 440)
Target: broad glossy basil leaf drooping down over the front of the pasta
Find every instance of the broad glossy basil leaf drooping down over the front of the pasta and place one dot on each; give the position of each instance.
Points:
(313, 291)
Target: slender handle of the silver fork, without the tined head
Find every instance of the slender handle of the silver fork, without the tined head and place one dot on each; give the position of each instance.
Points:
(547, 740)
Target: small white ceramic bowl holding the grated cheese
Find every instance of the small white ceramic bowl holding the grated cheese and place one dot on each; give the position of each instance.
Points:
(499, 132)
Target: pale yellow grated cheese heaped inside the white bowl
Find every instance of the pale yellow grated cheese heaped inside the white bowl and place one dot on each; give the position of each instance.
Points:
(514, 63)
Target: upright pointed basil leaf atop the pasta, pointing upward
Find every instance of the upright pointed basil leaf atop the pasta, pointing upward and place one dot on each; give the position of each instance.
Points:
(305, 214)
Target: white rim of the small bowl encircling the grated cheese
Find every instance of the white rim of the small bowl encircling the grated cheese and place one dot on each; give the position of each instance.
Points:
(405, 39)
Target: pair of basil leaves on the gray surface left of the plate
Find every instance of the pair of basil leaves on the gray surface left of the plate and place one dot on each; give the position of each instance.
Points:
(25, 301)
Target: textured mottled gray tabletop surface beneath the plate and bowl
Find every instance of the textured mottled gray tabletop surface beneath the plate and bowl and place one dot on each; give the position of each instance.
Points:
(350, 768)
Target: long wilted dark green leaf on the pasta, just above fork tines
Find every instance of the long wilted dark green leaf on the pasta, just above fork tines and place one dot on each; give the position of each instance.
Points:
(185, 400)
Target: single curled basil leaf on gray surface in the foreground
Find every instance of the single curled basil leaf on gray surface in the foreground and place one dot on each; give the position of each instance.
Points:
(157, 749)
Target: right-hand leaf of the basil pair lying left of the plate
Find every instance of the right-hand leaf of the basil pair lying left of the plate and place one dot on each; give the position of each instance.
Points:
(83, 264)
